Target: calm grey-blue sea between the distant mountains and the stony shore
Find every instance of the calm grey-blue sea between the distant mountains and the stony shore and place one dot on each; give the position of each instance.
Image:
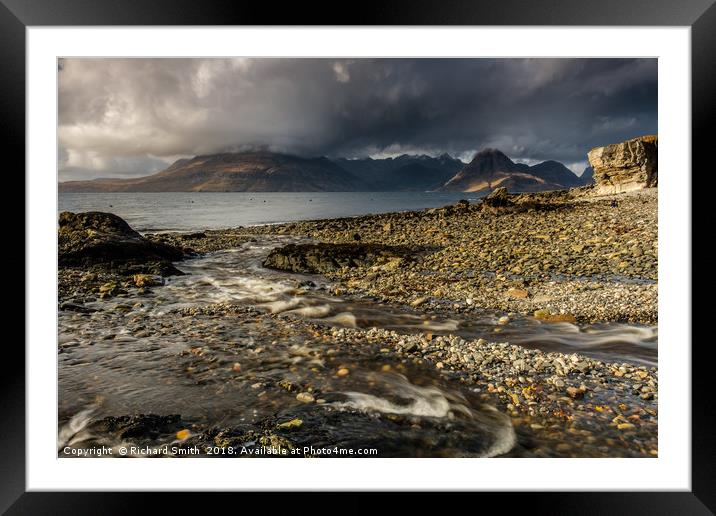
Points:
(194, 211)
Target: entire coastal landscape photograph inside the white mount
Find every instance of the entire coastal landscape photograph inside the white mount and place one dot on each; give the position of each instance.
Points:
(357, 257)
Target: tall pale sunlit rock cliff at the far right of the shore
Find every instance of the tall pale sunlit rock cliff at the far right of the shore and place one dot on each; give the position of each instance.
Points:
(626, 166)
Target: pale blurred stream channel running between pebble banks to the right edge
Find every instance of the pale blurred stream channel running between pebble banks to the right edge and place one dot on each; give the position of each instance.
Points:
(237, 276)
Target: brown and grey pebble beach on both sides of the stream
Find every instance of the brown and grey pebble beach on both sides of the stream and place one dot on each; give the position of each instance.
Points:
(558, 258)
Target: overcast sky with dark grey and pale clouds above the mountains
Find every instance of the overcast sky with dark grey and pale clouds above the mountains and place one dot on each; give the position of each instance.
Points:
(132, 117)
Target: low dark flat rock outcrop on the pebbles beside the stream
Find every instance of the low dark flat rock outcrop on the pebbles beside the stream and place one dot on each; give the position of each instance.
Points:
(322, 258)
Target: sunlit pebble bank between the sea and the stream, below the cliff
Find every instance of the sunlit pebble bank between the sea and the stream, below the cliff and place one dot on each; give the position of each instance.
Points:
(569, 254)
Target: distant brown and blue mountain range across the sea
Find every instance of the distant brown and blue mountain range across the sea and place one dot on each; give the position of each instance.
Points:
(264, 171)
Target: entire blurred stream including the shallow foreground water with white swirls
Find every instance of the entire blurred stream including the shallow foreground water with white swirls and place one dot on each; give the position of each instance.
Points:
(131, 356)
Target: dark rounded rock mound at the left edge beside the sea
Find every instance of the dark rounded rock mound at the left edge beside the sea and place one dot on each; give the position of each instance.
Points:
(106, 240)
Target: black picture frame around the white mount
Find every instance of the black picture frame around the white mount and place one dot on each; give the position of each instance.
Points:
(17, 15)
